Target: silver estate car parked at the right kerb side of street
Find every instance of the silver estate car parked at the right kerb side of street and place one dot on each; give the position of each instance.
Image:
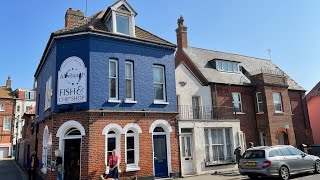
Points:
(279, 161)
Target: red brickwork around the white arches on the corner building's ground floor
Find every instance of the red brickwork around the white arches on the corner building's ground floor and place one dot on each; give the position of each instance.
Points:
(93, 143)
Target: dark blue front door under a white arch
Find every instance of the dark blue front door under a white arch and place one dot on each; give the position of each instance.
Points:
(160, 156)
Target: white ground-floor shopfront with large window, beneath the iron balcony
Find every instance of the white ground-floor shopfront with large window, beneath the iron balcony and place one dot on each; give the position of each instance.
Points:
(207, 146)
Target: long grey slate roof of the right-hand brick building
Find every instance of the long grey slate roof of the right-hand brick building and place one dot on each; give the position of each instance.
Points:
(201, 57)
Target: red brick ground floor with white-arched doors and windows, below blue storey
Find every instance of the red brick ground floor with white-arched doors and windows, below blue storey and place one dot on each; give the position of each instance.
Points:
(146, 142)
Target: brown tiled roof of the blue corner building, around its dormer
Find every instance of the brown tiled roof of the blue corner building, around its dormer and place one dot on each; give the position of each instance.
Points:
(96, 23)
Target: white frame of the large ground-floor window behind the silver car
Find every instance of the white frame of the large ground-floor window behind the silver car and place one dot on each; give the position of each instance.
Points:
(211, 160)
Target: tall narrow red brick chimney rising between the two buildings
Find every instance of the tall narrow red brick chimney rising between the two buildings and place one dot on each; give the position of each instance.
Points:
(182, 35)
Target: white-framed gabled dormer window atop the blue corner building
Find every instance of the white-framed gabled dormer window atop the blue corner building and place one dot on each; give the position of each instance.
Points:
(120, 19)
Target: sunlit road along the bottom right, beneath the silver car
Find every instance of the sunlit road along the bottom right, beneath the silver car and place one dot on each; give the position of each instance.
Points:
(237, 176)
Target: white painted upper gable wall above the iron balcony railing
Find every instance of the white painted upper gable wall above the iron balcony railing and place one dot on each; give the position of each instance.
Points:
(192, 87)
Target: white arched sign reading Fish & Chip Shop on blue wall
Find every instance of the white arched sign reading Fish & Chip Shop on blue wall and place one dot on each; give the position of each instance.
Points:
(72, 82)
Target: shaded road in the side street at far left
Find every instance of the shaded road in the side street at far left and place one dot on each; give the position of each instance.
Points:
(10, 171)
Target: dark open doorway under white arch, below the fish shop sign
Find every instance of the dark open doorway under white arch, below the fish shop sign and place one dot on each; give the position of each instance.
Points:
(72, 159)
